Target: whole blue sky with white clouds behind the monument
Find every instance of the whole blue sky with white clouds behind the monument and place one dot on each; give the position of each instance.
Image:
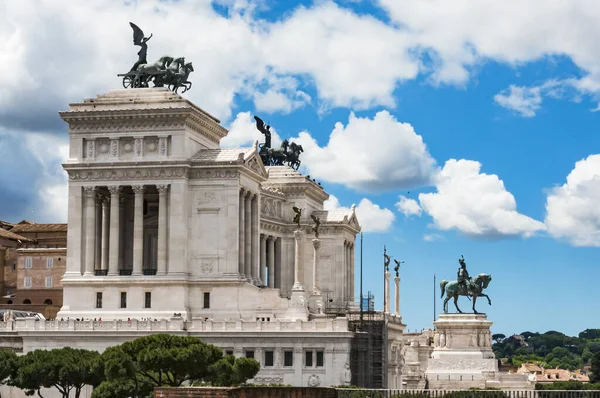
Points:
(475, 112)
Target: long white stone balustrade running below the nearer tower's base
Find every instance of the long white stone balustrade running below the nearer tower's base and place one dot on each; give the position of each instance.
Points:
(175, 324)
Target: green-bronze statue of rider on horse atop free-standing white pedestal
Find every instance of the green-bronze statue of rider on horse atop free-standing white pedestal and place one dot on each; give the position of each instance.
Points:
(465, 286)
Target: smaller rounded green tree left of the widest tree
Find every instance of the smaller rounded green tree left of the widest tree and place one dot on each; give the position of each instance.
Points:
(66, 369)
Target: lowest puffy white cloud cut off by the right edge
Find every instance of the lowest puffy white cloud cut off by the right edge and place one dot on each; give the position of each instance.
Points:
(572, 210)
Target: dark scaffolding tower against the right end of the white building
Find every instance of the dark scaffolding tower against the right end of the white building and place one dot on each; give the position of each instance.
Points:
(368, 349)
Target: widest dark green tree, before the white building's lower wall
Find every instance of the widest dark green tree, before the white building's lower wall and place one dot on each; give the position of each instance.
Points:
(135, 368)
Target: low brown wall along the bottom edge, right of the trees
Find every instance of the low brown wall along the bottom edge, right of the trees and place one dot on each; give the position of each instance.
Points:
(244, 392)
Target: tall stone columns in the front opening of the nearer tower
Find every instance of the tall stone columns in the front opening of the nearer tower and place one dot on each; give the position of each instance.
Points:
(103, 234)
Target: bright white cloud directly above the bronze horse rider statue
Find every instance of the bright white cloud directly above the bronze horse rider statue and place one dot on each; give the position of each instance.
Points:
(475, 203)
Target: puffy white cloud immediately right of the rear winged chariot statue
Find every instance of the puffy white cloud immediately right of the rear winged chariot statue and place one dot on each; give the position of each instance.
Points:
(369, 154)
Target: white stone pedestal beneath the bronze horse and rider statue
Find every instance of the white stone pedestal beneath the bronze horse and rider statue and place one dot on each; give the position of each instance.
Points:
(462, 357)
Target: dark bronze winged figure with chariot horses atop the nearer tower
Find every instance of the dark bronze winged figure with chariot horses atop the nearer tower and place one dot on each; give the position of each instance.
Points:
(165, 72)
